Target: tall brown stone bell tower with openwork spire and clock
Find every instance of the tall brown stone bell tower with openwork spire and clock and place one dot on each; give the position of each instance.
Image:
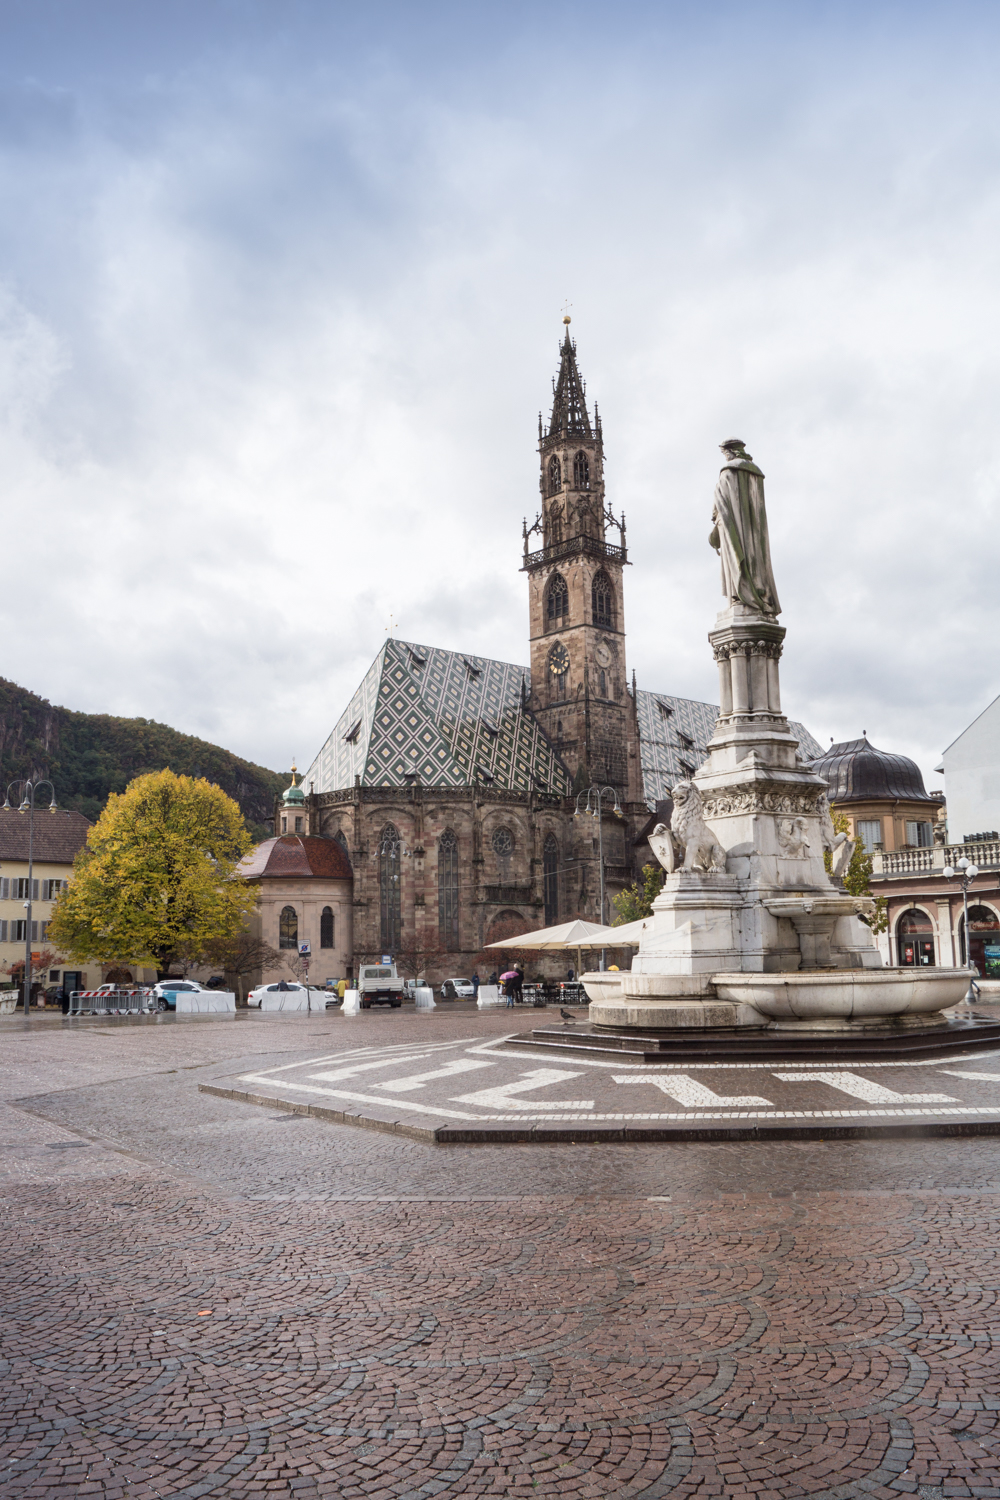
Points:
(579, 686)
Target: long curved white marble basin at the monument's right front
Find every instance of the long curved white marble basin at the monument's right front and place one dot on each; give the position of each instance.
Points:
(845, 994)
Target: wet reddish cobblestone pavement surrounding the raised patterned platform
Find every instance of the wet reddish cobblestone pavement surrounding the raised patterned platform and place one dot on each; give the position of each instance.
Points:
(205, 1298)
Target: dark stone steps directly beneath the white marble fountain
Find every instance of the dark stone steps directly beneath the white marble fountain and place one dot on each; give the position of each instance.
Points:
(774, 1043)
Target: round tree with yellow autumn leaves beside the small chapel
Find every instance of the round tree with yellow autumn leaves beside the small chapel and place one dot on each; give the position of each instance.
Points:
(157, 881)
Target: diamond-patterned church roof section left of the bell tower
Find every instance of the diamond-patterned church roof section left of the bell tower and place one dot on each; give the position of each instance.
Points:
(452, 719)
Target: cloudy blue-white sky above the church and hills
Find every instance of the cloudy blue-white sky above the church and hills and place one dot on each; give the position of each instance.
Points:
(281, 290)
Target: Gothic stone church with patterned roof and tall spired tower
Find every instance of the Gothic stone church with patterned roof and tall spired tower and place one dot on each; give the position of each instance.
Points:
(464, 793)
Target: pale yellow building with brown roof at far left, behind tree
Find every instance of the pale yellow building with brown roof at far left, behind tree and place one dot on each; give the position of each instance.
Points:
(58, 839)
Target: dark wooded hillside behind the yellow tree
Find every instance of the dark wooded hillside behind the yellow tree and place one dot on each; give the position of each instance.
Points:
(89, 757)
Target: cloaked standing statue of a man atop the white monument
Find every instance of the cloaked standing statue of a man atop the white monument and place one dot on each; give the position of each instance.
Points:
(740, 532)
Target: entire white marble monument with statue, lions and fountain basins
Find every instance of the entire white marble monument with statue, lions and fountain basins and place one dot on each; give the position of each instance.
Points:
(750, 929)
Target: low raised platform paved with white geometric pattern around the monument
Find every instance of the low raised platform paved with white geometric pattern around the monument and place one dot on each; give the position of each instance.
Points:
(470, 1090)
